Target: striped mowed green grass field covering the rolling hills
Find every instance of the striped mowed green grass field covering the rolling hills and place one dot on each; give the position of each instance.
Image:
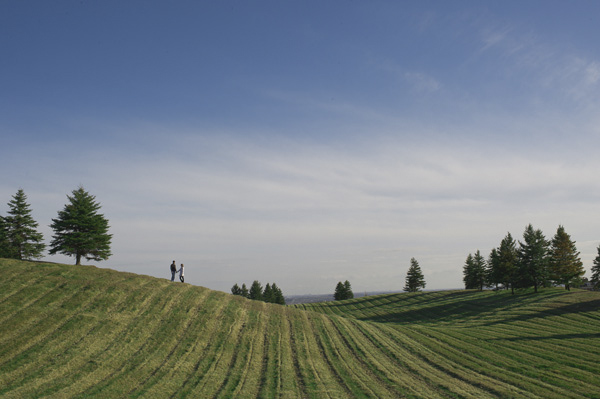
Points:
(81, 331)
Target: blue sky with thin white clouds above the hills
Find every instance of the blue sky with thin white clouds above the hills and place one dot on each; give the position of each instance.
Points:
(305, 142)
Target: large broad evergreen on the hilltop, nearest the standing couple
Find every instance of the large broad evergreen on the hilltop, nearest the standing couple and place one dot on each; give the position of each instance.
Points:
(80, 230)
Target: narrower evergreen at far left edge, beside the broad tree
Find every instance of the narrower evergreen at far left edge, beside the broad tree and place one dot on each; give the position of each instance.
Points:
(24, 241)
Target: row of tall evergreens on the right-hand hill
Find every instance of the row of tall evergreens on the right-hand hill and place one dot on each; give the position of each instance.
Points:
(534, 262)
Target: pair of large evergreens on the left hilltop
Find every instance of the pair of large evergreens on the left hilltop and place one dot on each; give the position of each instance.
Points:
(79, 230)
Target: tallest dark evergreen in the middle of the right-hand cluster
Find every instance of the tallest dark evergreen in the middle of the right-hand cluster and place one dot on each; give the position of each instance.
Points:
(533, 259)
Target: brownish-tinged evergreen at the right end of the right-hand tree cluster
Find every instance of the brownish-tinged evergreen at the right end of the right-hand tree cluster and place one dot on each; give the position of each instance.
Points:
(564, 262)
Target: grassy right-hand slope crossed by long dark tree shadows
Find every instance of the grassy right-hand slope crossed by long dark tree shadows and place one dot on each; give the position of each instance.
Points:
(546, 344)
